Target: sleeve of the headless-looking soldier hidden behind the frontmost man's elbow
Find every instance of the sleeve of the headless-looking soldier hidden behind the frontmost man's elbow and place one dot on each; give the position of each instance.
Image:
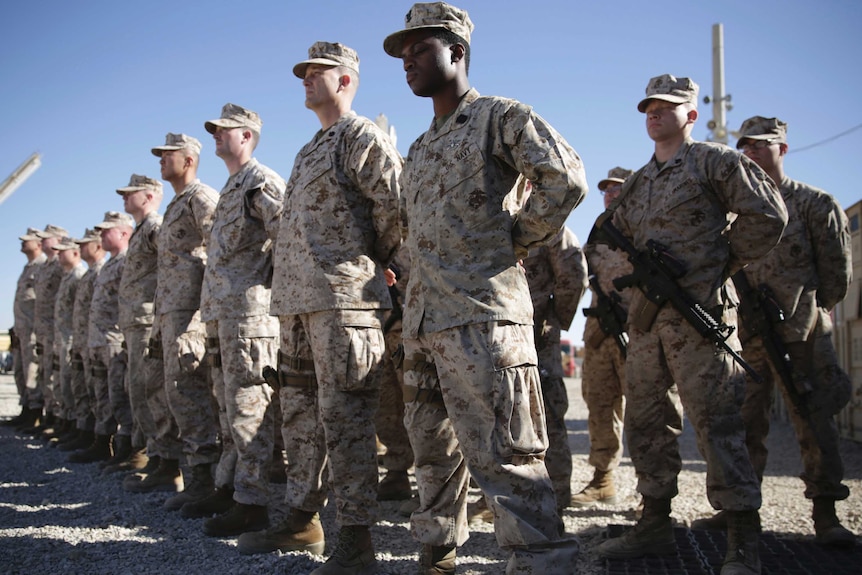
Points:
(570, 275)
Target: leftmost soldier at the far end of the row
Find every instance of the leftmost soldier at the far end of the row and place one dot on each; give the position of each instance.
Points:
(26, 360)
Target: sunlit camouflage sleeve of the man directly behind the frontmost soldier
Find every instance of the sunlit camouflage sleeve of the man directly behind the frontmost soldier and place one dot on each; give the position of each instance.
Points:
(376, 168)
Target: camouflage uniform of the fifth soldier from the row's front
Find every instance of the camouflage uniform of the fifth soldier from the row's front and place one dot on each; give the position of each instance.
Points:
(145, 371)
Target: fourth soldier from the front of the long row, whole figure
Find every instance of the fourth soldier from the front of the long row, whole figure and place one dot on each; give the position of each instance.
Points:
(182, 256)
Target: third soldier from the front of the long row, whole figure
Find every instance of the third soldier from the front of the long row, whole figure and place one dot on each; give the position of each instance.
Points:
(242, 336)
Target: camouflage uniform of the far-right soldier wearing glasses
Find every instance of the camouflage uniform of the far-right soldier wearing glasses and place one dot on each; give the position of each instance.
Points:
(809, 272)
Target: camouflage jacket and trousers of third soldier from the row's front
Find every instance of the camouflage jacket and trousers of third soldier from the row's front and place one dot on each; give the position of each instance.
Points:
(243, 337)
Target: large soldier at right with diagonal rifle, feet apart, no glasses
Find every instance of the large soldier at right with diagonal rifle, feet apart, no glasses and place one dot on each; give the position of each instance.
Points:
(685, 199)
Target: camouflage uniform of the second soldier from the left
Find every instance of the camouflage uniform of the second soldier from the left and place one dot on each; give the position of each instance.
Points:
(47, 284)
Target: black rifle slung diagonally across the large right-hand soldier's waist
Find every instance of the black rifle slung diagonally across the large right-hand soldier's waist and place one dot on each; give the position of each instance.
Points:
(655, 272)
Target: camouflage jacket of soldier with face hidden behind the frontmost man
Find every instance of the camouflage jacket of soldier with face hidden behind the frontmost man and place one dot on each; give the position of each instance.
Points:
(557, 276)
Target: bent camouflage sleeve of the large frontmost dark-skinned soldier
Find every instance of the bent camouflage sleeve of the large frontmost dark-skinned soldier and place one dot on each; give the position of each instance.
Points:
(557, 174)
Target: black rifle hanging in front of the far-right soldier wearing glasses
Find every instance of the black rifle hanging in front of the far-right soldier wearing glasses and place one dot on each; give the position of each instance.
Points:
(759, 313)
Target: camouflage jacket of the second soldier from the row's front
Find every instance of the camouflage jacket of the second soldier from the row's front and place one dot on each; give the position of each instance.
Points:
(340, 225)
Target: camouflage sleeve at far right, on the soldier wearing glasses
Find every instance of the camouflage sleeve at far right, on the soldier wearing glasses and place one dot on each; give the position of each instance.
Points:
(830, 238)
